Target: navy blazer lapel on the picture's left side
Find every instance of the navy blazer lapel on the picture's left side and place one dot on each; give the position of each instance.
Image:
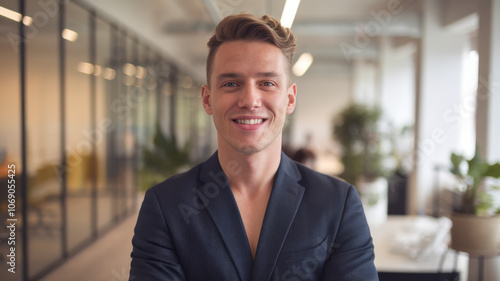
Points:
(224, 211)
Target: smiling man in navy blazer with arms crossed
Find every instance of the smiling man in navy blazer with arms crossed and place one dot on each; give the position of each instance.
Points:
(249, 212)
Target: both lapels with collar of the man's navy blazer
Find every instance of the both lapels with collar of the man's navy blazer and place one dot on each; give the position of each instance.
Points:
(283, 204)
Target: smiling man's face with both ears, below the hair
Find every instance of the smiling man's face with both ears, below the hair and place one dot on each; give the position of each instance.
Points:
(249, 96)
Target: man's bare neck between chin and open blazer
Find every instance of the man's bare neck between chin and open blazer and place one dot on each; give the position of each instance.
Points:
(250, 173)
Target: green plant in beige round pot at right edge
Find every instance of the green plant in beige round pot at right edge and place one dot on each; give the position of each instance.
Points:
(476, 220)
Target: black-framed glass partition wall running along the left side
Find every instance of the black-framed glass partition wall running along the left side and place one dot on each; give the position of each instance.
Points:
(81, 99)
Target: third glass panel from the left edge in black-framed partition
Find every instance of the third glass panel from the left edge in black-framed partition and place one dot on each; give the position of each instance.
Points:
(79, 137)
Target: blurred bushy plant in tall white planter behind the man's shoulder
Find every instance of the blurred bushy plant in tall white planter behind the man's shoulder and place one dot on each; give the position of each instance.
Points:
(356, 129)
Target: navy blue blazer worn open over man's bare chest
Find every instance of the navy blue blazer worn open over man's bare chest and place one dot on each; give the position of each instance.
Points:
(189, 228)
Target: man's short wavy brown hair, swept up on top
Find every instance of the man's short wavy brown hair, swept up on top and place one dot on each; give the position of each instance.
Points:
(248, 27)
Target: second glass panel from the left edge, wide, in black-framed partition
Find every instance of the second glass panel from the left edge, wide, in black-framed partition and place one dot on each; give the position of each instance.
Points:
(43, 139)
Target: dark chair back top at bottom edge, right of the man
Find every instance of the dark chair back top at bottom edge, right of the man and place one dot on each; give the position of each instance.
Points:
(419, 276)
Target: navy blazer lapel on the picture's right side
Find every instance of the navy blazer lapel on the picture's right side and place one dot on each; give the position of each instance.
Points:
(281, 209)
